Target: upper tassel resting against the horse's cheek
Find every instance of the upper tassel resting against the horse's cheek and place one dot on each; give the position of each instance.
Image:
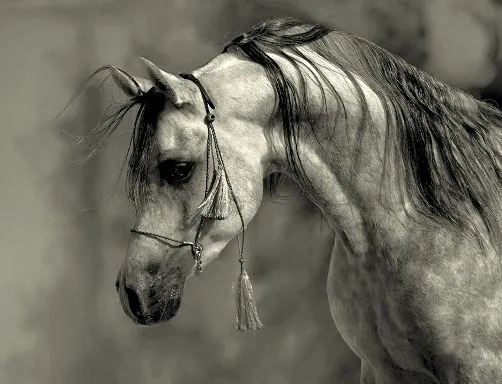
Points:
(217, 202)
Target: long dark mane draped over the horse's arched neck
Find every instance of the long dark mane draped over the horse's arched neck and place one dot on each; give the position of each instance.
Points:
(443, 143)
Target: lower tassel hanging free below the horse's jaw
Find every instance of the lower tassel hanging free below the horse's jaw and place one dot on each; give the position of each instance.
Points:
(247, 314)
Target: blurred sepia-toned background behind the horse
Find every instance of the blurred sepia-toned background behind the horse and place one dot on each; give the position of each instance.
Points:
(64, 227)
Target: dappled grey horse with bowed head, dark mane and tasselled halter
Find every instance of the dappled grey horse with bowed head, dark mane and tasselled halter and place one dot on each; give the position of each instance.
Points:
(406, 170)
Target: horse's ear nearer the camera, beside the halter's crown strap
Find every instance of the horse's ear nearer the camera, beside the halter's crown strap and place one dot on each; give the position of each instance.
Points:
(176, 89)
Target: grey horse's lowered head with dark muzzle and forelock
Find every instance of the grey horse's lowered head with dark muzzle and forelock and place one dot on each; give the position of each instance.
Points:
(201, 181)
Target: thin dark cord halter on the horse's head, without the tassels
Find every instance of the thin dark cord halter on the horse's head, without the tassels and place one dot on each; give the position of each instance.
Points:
(196, 245)
